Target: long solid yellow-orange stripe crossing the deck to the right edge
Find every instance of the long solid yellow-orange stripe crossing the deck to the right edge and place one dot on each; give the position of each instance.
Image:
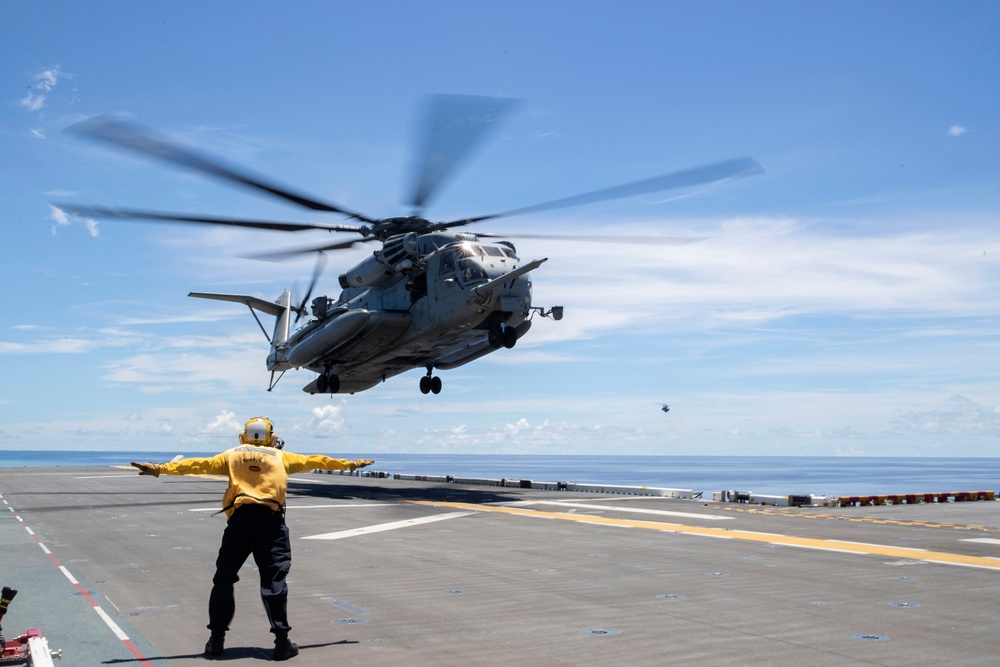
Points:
(924, 555)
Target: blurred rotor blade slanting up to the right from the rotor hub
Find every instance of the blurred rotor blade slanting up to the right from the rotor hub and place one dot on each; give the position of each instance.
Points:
(713, 173)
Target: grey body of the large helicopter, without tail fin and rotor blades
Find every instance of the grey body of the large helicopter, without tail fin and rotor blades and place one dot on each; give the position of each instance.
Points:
(433, 301)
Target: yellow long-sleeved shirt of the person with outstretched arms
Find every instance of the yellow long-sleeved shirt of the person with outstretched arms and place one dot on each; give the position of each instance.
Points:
(256, 474)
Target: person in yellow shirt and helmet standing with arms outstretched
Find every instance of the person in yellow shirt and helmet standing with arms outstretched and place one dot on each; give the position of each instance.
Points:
(255, 505)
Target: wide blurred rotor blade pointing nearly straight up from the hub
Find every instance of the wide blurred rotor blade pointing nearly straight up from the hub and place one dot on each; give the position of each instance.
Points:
(453, 125)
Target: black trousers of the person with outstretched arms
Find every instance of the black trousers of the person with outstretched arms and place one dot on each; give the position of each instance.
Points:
(261, 531)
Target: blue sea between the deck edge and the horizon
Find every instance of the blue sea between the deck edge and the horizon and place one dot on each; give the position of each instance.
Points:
(770, 475)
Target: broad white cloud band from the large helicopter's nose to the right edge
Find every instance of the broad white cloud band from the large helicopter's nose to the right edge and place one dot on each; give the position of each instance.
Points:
(753, 272)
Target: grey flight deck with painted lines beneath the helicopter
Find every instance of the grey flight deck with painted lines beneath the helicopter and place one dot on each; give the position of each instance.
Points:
(441, 574)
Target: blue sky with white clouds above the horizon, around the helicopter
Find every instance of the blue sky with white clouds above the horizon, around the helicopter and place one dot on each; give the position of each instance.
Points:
(844, 303)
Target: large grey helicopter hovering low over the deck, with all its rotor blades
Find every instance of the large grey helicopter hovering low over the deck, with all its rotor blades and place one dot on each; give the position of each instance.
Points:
(429, 297)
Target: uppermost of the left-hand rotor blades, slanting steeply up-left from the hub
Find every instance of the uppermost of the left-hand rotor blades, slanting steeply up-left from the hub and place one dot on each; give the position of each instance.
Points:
(133, 138)
